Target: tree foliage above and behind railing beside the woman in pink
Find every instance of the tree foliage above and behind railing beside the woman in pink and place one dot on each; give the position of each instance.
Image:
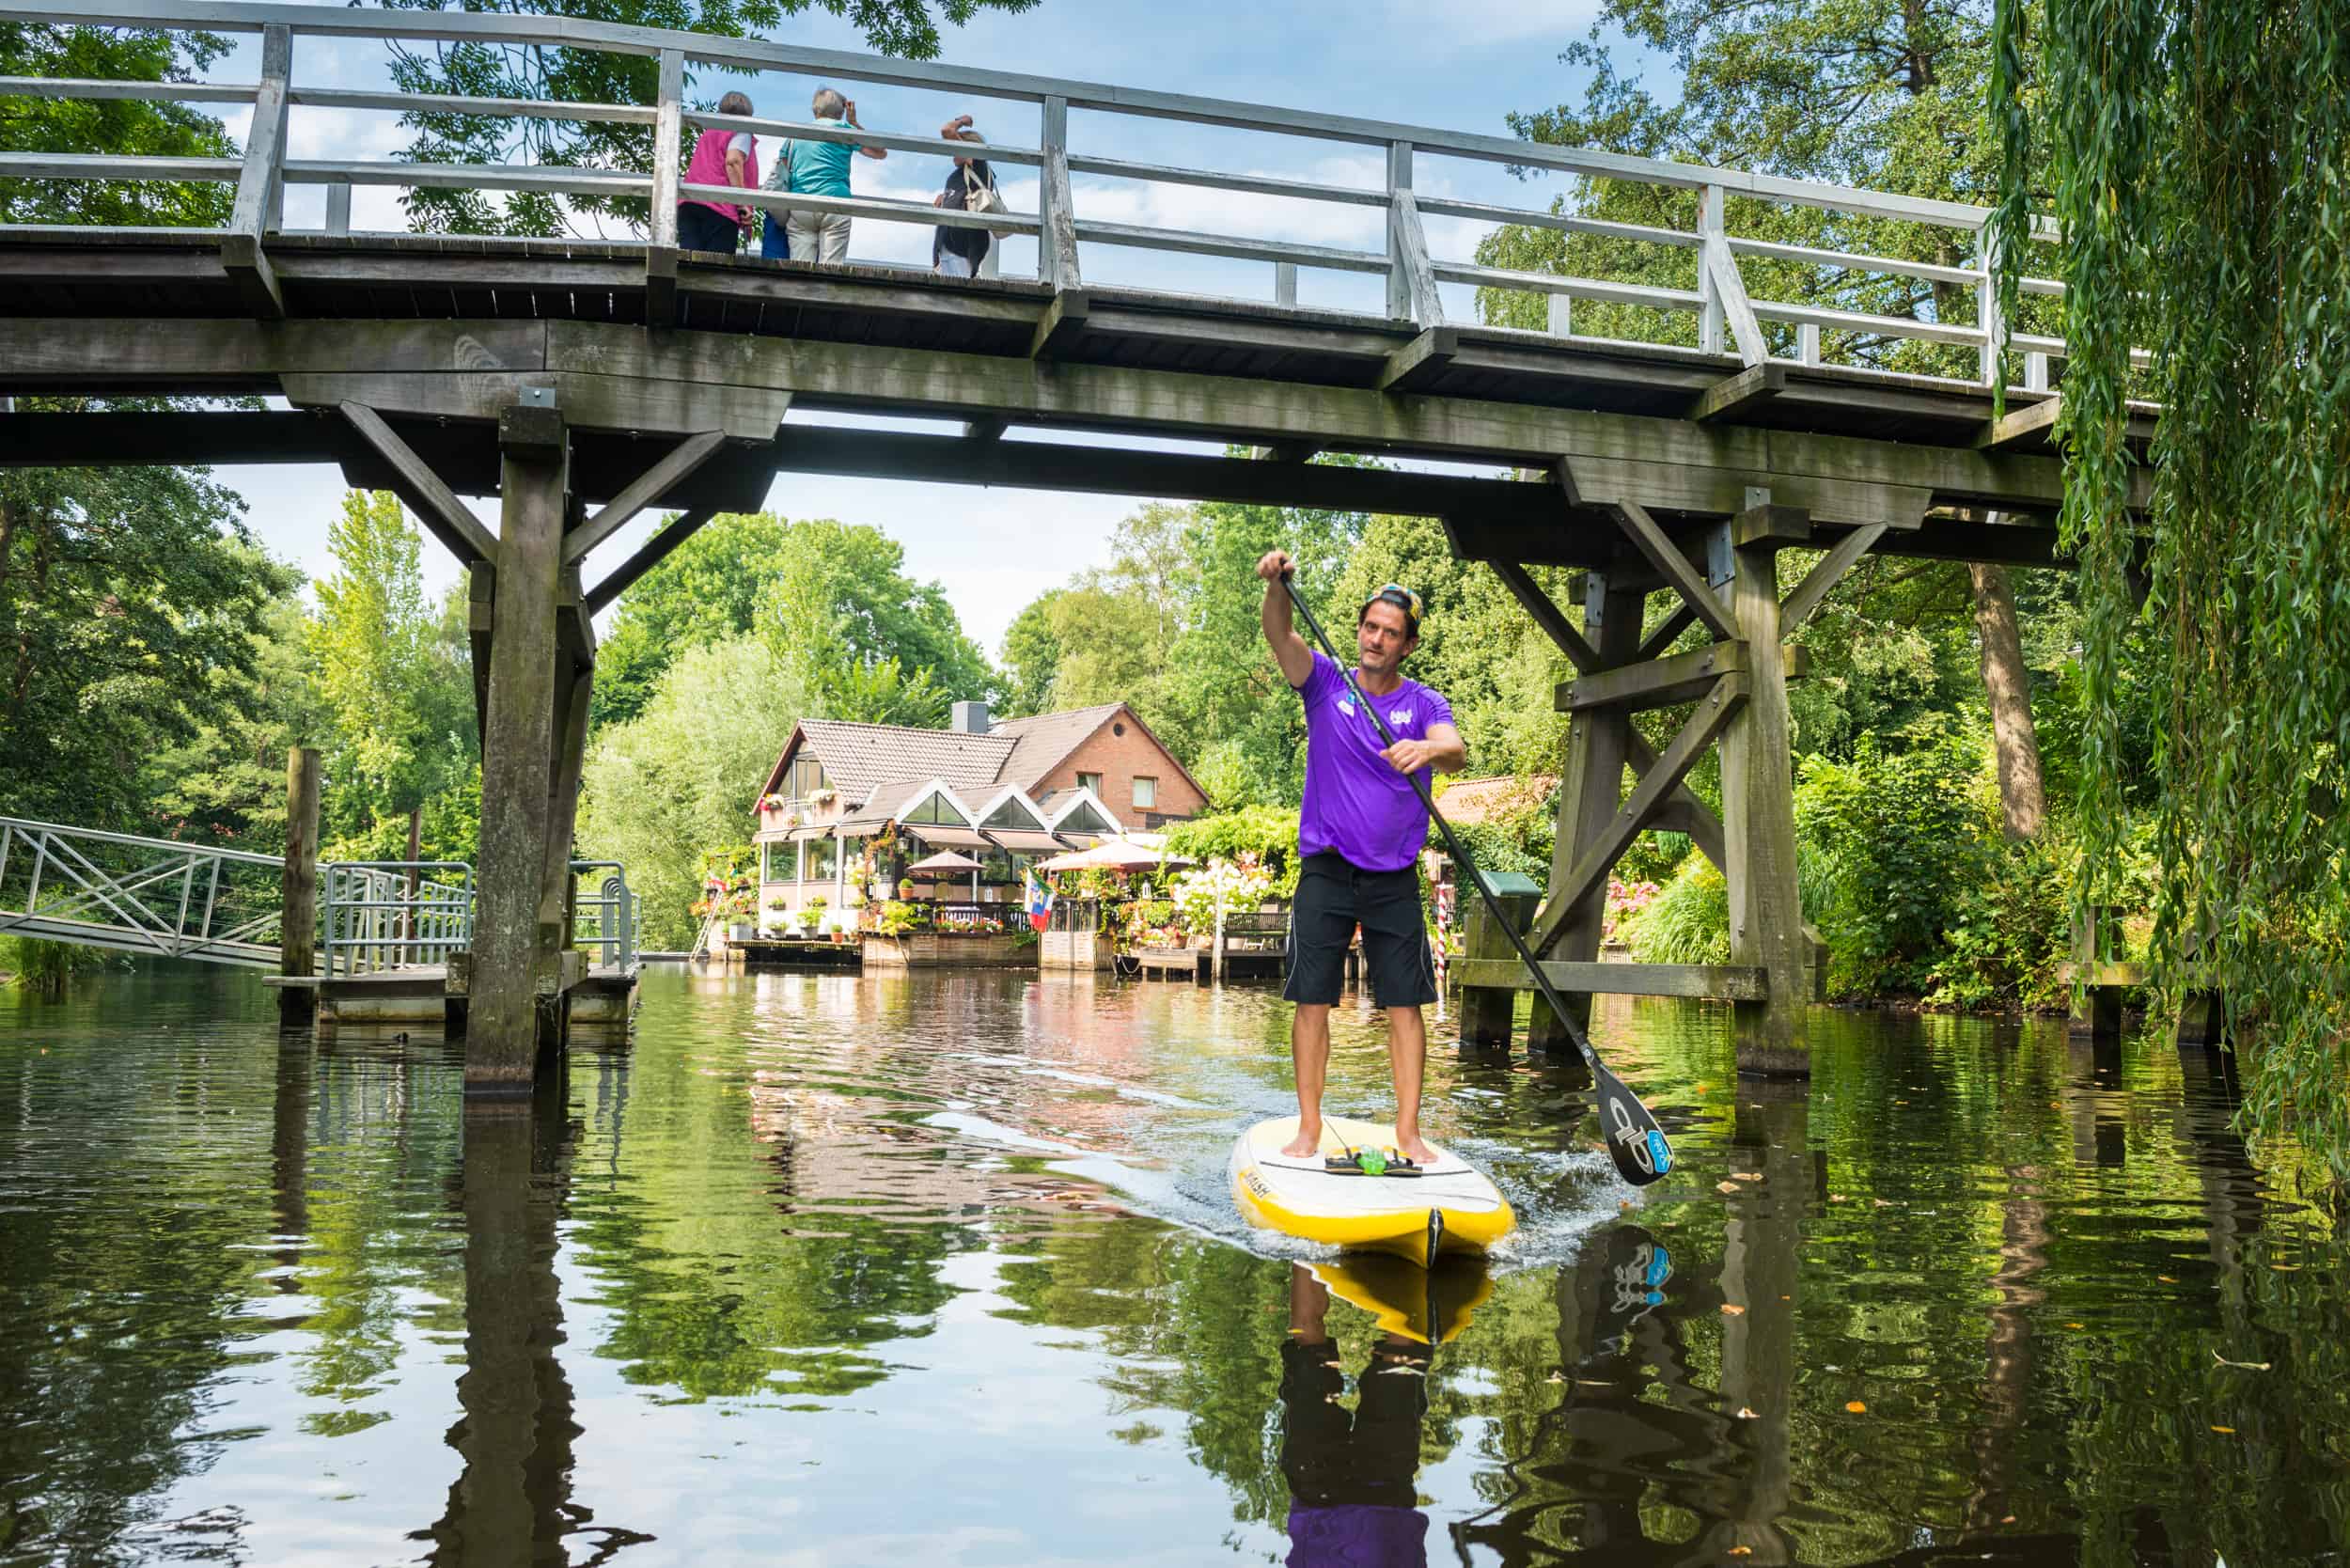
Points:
(589, 76)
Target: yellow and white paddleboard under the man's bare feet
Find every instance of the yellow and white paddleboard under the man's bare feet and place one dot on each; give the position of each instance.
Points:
(1449, 1207)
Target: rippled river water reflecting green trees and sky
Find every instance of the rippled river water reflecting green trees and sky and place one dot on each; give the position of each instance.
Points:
(941, 1271)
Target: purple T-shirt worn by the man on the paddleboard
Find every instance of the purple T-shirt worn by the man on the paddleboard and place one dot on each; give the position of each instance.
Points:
(1355, 803)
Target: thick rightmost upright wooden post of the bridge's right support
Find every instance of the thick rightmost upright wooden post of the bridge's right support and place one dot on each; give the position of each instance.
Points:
(1759, 812)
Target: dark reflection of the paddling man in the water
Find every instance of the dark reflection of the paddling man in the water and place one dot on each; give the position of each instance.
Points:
(1352, 1475)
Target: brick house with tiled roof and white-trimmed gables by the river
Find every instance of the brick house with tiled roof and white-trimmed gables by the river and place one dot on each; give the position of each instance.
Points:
(850, 808)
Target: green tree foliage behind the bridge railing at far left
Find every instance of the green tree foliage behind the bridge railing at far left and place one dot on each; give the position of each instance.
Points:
(112, 126)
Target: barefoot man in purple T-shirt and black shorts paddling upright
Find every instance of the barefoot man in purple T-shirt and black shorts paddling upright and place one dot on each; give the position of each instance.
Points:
(1359, 836)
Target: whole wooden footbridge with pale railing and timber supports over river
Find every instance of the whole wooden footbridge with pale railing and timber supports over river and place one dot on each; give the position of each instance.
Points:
(591, 382)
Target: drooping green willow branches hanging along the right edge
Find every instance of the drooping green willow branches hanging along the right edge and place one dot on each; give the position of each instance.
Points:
(2196, 168)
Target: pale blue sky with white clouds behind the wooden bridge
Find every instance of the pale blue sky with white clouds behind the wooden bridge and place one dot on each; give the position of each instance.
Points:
(1456, 67)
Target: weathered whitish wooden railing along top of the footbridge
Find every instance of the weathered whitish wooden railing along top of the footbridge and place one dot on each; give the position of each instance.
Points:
(1956, 307)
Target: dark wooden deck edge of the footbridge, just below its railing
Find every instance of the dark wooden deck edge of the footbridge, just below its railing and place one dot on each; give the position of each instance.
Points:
(387, 279)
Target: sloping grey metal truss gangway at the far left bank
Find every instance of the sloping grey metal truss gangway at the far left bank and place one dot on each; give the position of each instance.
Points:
(130, 894)
